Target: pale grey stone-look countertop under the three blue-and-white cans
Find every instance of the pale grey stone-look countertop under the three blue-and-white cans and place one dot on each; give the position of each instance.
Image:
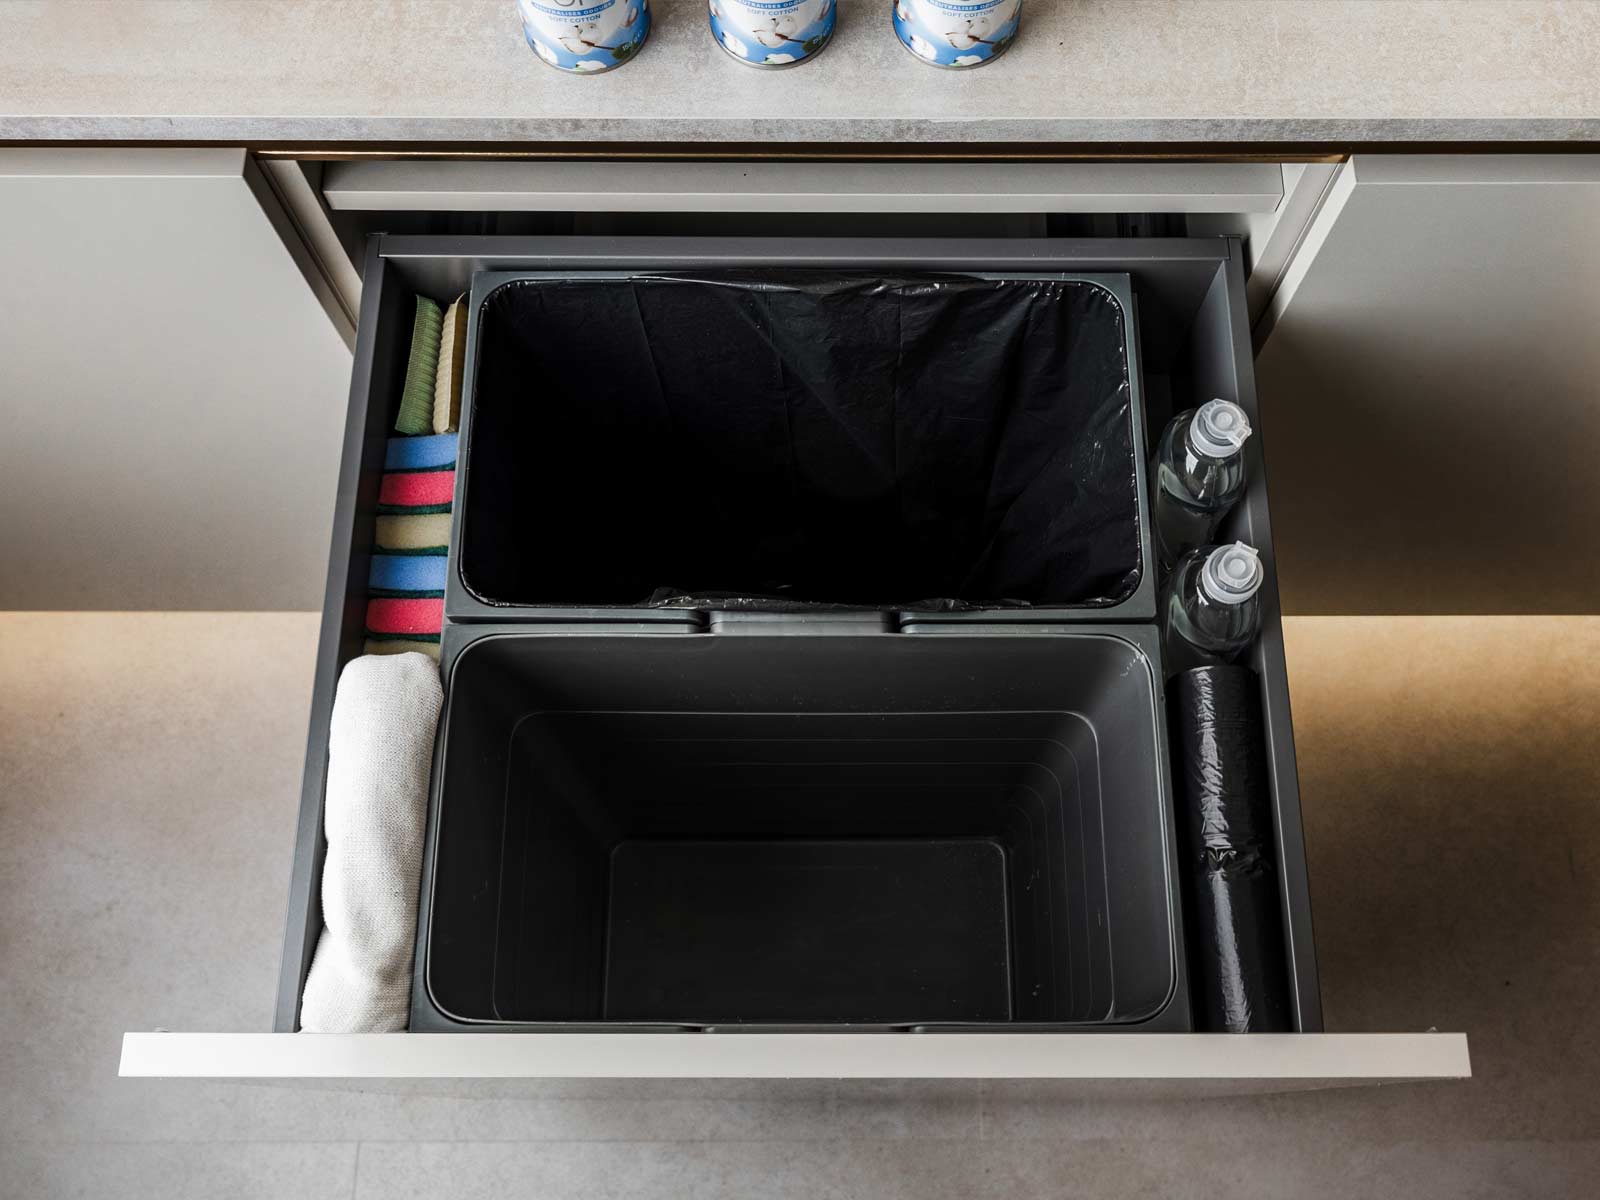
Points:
(1098, 73)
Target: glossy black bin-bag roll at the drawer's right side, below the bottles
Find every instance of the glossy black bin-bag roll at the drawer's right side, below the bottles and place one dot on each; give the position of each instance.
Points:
(1234, 924)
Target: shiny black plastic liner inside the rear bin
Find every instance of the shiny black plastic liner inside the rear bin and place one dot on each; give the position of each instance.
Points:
(801, 438)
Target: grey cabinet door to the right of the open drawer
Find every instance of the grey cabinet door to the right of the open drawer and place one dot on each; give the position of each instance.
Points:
(1430, 378)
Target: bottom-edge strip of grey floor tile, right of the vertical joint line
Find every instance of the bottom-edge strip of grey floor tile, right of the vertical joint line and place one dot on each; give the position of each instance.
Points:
(1153, 1167)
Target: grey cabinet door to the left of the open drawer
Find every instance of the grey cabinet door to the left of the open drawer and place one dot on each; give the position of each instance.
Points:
(172, 394)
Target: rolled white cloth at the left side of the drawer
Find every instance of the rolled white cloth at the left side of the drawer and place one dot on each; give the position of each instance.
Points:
(375, 809)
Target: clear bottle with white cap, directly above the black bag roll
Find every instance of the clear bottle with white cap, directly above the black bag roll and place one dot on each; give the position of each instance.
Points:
(1210, 612)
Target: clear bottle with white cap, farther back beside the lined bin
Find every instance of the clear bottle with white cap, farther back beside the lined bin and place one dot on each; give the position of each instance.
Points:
(1199, 478)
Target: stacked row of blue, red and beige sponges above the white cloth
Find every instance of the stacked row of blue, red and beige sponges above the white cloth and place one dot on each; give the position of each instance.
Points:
(406, 588)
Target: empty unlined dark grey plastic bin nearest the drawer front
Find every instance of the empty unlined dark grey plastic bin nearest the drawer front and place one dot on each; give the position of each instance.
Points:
(812, 830)
